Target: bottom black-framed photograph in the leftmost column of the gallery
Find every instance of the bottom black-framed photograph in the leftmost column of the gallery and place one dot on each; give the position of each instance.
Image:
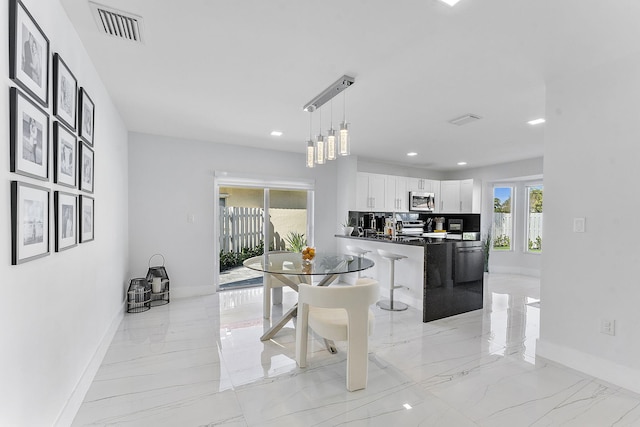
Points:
(29, 222)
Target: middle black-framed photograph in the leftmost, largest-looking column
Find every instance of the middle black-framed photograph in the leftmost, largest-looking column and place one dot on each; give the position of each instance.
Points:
(29, 135)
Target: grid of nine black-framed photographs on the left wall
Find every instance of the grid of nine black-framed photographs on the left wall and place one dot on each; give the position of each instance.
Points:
(52, 142)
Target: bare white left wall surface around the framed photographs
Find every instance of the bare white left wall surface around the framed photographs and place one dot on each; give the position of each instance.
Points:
(58, 311)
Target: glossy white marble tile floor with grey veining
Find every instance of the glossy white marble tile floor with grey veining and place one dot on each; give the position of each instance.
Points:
(200, 362)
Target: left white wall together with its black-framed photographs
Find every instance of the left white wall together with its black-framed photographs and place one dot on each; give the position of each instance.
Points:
(53, 274)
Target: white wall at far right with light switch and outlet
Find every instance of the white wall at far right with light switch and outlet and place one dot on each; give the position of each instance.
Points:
(591, 171)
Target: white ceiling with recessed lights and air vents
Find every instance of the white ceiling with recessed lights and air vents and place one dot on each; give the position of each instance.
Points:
(232, 71)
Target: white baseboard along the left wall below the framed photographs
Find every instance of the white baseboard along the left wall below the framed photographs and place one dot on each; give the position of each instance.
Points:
(74, 402)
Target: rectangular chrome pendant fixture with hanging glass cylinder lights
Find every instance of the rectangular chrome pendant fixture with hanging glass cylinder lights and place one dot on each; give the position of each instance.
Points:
(328, 149)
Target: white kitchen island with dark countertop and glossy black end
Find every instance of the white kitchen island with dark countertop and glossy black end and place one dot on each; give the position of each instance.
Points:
(443, 277)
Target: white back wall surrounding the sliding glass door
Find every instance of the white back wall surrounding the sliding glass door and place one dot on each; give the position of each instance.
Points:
(172, 178)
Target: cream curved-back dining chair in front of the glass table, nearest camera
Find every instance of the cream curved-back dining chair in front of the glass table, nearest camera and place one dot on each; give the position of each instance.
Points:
(339, 313)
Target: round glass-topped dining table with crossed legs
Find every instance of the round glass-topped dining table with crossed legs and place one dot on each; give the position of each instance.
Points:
(286, 265)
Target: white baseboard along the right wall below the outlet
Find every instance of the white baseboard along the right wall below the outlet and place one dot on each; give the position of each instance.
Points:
(613, 373)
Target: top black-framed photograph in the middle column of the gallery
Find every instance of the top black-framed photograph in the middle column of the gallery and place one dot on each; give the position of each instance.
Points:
(65, 93)
